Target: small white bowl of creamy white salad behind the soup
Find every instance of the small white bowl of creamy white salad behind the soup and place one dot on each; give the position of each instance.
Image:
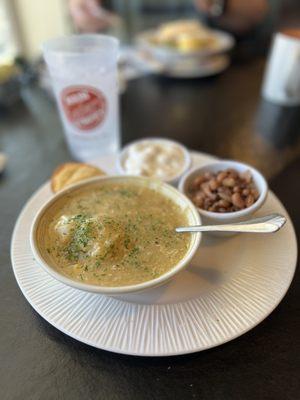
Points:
(158, 158)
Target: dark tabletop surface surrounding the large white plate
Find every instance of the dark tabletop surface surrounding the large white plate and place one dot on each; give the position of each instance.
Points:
(223, 116)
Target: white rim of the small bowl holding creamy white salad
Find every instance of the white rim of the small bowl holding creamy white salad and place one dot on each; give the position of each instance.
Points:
(186, 153)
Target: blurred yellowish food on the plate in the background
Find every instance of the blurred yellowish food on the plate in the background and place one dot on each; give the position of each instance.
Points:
(185, 36)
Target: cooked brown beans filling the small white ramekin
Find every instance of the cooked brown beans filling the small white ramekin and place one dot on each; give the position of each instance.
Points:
(224, 191)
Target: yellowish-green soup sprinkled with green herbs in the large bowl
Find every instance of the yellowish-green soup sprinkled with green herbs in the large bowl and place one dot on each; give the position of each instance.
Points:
(115, 234)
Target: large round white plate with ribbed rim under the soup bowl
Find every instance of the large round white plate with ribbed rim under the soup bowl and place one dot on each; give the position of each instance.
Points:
(230, 287)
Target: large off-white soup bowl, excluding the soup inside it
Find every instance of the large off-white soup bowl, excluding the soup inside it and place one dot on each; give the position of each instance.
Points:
(42, 220)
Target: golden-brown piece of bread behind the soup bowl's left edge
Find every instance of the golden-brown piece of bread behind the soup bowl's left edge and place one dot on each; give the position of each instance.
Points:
(69, 173)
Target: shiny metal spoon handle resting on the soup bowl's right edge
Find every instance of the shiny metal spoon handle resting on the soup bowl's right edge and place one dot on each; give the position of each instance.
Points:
(269, 223)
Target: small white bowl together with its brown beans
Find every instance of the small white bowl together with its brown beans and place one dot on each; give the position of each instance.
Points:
(225, 191)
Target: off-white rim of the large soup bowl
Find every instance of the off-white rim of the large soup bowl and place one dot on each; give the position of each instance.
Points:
(112, 290)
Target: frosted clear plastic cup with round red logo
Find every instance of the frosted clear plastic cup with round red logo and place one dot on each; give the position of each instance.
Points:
(83, 70)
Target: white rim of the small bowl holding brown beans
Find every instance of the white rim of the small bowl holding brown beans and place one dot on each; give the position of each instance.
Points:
(228, 164)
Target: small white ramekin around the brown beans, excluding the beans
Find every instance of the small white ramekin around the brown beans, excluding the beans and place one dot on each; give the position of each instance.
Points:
(209, 217)
